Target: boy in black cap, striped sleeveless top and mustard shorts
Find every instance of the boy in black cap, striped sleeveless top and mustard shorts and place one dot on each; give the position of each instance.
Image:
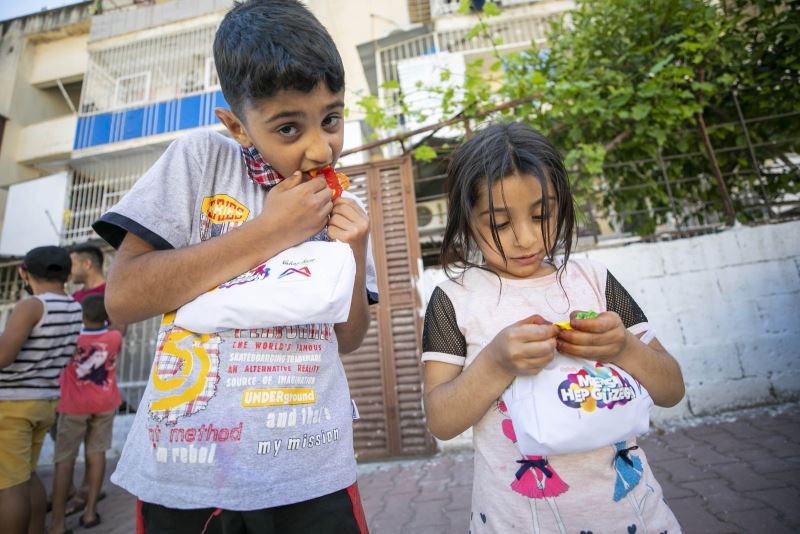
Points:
(39, 340)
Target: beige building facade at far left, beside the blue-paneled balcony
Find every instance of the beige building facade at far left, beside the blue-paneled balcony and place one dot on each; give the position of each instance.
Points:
(43, 58)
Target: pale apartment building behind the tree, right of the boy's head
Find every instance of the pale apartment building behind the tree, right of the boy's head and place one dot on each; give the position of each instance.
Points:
(412, 60)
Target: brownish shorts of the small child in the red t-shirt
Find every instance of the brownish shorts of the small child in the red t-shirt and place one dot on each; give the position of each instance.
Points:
(93, 430)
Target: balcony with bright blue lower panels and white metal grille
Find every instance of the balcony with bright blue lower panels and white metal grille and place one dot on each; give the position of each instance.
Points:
(146, 87)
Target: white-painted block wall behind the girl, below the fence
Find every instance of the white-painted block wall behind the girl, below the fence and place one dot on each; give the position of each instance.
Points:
(726, 305)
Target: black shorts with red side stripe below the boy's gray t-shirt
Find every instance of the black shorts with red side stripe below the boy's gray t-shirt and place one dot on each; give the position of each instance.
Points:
(337, 513)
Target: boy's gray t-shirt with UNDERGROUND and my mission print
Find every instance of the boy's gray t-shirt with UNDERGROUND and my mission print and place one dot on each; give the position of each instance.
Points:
(242, 419)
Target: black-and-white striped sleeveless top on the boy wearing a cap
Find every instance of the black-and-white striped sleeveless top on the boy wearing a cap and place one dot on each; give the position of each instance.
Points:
(49, 347)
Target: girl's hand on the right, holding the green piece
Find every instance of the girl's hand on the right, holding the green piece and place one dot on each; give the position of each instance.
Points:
(601, 339)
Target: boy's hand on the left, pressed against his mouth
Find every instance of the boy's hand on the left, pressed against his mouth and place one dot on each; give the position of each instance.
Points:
(301, 208)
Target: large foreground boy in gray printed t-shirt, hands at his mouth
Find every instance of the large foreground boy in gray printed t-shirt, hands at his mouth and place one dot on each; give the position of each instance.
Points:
(245, 430)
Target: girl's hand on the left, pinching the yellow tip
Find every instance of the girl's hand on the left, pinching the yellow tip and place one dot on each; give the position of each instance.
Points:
(525, 347)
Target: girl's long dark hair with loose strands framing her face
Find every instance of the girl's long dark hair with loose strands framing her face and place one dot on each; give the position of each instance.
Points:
(494, 152)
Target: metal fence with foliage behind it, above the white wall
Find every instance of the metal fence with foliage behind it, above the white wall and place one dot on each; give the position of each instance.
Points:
(675, 195)
